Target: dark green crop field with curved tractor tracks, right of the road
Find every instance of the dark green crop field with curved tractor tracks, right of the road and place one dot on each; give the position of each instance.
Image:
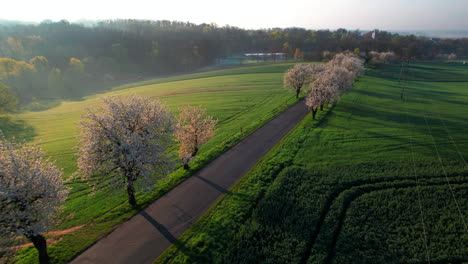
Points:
(381, 177)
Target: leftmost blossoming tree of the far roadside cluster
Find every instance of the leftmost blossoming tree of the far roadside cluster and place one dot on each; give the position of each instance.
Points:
(296, 77)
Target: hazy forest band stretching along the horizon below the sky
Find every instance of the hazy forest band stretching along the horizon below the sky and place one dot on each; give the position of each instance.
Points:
(61, 59)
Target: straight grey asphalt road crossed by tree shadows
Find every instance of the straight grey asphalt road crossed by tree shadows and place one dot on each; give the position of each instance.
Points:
(146, 235)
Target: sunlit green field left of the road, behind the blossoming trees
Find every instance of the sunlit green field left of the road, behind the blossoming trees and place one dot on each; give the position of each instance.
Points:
(241, 99)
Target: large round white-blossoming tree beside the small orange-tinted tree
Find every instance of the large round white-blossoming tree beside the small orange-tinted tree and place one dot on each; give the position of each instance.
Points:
(126, 140)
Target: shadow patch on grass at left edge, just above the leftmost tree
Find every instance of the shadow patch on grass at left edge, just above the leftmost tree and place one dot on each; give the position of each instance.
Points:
(18, 129)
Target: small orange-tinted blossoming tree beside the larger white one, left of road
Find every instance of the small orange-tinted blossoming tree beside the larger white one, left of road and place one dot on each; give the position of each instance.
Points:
(193, 129)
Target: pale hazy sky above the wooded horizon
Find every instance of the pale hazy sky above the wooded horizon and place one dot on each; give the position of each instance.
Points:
(312, 14)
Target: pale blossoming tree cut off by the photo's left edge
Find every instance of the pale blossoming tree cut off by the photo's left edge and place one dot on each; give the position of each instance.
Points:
(31, 192)
